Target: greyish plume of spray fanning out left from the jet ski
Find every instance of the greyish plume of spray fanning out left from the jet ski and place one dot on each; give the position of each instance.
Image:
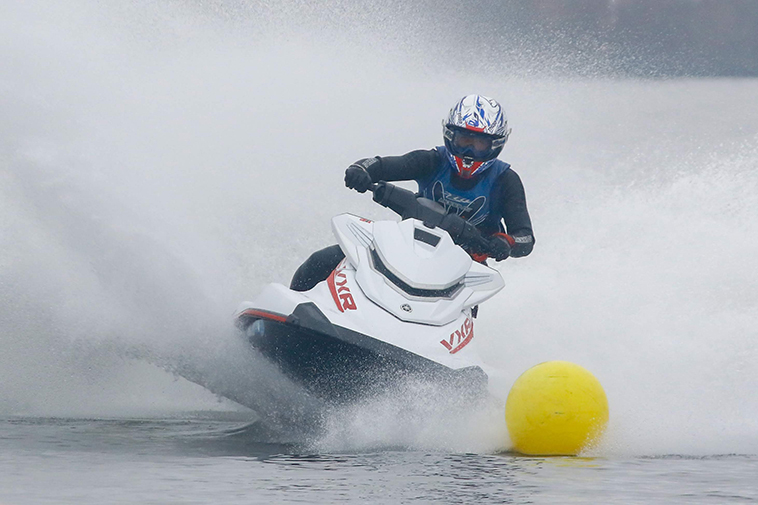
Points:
(118, 290)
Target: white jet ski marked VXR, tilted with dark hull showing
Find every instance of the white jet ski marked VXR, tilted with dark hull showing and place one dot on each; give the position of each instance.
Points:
(401, 305)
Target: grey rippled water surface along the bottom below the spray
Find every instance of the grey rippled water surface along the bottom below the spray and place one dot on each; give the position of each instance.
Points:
(217, 458)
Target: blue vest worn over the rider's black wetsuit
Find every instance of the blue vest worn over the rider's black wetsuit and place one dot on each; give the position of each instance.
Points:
(473, 204)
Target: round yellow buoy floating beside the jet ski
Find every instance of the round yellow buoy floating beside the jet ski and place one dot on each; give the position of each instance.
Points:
(555, 408)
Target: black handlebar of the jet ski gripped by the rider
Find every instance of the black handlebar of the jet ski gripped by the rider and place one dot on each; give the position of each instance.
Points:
(410, 205)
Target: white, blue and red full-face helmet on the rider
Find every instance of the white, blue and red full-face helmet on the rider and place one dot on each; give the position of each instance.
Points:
(475, 132)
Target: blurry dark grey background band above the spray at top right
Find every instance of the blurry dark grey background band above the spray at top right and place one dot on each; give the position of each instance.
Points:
(635, 38)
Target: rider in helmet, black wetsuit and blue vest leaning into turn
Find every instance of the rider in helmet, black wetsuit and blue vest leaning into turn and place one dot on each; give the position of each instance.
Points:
(464, 176)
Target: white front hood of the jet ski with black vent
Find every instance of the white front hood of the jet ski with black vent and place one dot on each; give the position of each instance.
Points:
(416, 273)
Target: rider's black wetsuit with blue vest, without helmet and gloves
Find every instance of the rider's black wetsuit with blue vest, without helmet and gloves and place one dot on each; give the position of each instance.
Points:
(506, 203)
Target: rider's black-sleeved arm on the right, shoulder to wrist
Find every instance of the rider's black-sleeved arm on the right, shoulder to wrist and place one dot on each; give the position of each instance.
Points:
(513, 209)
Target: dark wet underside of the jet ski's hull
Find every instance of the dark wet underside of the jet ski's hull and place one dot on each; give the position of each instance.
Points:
(340, 365)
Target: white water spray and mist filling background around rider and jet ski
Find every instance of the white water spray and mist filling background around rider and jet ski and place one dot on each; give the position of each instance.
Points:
(162, 161)
